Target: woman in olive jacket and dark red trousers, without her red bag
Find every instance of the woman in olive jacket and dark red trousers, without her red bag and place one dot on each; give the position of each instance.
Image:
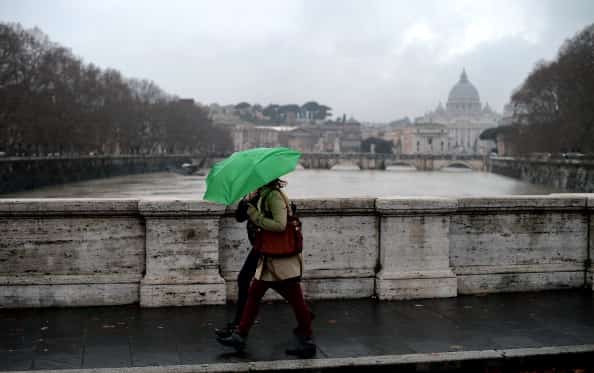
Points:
(283, 274)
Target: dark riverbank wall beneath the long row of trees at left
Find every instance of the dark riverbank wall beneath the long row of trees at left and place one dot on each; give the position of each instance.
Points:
(18, 174)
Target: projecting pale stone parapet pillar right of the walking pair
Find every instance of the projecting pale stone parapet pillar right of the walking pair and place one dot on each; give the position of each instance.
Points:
(414, 248)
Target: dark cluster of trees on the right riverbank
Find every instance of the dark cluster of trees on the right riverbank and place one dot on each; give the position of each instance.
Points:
(554, 108)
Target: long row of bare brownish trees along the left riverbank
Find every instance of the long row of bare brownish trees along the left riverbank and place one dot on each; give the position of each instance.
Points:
(51, 102)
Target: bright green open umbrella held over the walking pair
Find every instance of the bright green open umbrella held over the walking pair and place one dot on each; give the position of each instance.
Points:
(243, 172)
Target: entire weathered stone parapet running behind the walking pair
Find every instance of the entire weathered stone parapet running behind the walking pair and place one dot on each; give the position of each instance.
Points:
(80, 252)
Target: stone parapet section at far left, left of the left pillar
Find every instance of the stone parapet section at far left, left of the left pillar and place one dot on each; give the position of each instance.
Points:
(70, 252)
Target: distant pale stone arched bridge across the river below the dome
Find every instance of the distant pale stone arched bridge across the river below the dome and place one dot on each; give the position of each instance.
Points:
(371, 161)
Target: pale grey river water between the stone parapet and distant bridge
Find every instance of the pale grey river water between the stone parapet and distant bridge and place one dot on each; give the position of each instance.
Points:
(303, 184)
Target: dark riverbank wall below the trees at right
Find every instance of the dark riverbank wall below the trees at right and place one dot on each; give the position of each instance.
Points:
(566, 175)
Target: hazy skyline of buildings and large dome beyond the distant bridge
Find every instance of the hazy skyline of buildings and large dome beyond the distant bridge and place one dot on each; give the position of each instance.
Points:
(451, 129)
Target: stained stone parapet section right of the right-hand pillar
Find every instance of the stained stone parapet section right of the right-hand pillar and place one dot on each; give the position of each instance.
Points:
(519, 243)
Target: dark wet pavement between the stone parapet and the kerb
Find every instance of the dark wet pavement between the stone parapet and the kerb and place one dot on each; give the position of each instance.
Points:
(126, 336)
